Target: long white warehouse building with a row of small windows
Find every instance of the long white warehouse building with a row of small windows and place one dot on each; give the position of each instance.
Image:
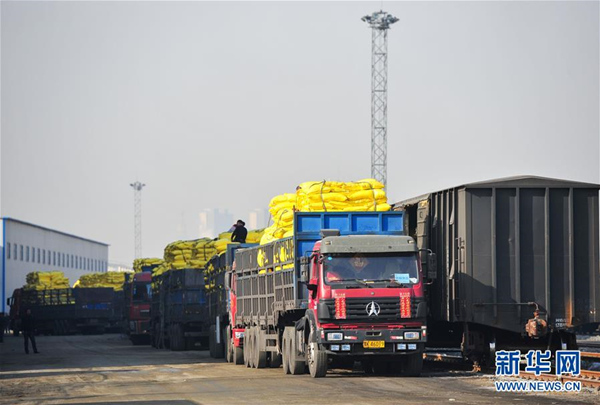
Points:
(27, 247)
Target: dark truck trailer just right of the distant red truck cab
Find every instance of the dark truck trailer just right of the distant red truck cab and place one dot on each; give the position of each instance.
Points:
(179, 318)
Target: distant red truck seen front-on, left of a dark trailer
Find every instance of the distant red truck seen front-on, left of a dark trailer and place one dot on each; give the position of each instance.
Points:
(138, 295)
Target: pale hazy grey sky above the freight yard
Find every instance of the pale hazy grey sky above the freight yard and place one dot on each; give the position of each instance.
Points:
(226, 105)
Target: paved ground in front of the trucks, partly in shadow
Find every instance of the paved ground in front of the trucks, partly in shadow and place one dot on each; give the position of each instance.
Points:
(107, 369)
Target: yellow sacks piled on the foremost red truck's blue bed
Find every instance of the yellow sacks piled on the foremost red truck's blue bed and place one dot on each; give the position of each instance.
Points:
(319, 196)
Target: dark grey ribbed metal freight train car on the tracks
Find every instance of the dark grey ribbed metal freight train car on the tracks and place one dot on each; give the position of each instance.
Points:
(517, 262)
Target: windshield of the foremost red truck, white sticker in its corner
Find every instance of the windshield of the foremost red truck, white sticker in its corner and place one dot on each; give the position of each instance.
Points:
(398, 268)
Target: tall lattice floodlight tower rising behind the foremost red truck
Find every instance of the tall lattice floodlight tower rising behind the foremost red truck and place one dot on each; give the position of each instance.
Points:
(380, 22)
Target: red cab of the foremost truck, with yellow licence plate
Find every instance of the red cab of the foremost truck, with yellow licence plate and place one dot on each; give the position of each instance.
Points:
(367, 302)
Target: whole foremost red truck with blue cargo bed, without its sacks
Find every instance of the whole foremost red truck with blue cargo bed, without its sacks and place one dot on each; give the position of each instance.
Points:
(346, 287)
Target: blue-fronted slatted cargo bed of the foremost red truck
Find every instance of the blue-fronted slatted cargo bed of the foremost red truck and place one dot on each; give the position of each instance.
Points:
(268, 275)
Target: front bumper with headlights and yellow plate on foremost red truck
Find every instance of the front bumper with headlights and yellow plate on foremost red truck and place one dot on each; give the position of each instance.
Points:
(372, 342)
